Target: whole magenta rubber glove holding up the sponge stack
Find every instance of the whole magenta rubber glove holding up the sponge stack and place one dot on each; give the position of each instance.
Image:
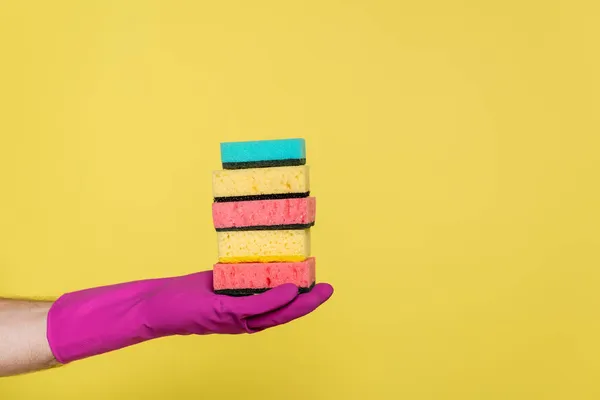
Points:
(98, 320)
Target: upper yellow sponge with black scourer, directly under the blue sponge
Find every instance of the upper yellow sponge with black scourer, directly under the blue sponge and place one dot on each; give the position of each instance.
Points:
(292, 181)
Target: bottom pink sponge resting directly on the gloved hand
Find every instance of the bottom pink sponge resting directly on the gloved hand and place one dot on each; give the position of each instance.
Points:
(251, 278)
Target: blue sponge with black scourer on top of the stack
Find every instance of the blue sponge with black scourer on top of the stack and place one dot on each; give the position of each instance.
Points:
(263, 153)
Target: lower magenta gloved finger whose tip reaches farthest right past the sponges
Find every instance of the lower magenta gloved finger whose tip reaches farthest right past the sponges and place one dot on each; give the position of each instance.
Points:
(302, 305)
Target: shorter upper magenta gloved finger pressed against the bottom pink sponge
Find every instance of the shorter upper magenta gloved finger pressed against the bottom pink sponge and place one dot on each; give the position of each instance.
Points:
(270, 300)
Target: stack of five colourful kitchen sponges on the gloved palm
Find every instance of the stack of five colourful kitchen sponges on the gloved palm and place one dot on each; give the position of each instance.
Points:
(263, 214)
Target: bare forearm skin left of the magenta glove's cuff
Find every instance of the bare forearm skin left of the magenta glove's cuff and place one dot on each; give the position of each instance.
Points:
(23, 343)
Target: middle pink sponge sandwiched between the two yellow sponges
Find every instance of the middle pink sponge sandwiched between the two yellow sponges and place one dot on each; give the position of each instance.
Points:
(264, 214)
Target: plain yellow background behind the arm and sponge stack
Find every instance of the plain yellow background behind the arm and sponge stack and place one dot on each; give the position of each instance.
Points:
(453, 148)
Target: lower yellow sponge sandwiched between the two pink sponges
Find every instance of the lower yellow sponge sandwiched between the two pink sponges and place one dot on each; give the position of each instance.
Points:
(264, 246)
